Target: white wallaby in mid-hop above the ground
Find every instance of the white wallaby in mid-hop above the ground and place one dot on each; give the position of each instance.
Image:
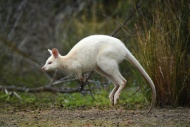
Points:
(101, 53)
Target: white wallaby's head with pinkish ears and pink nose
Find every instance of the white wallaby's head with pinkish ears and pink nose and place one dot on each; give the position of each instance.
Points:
(52, 62)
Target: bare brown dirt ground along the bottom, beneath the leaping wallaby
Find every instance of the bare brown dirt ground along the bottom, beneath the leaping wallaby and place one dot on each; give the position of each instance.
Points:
(57, 117)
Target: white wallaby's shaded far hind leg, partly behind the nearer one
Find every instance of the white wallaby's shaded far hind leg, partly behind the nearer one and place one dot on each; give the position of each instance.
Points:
(116, 85)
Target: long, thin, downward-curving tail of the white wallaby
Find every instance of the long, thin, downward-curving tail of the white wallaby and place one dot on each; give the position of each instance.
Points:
(134, 61)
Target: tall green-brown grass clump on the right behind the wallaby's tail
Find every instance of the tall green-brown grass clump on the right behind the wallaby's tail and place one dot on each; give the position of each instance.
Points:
(162, 48)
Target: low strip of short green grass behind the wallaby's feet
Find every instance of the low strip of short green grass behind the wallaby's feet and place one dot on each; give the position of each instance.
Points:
(128, 100)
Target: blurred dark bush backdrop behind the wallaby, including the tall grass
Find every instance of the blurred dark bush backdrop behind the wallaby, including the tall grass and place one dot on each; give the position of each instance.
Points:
(156, 32)
